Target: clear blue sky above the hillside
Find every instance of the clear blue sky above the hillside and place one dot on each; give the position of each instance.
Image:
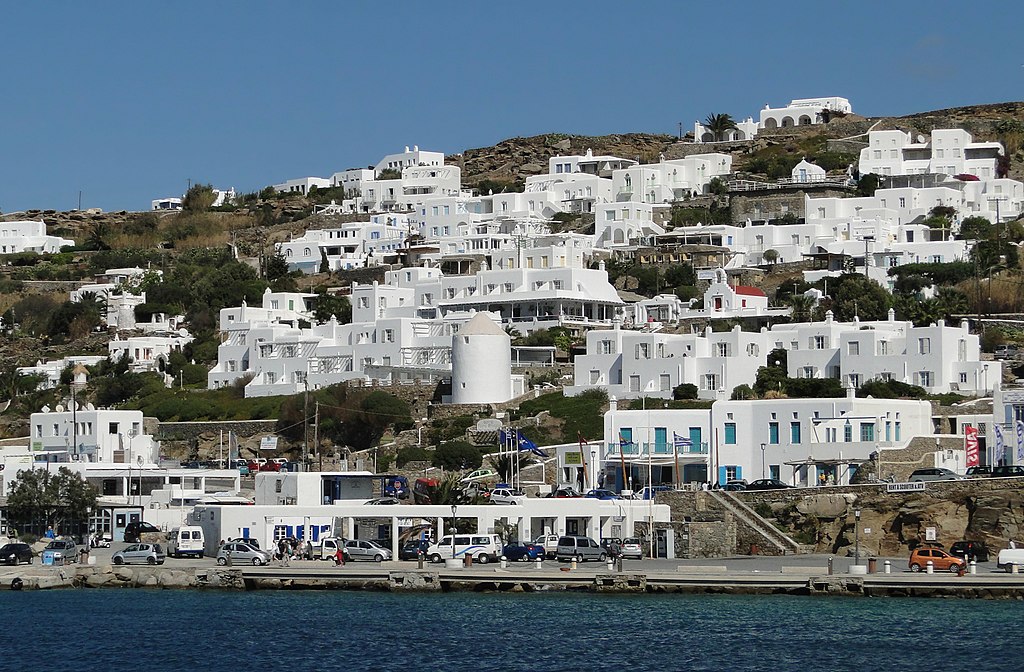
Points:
(130, 101)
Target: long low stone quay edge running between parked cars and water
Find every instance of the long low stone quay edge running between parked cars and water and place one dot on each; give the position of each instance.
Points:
(687, 580)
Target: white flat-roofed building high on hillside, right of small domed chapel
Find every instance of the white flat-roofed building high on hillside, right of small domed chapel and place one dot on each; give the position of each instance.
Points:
(949, 151)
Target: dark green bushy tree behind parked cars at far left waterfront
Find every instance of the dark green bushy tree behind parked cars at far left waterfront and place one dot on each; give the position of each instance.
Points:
(63, 500)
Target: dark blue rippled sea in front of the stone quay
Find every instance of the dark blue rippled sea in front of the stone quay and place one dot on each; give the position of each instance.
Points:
(337, 632)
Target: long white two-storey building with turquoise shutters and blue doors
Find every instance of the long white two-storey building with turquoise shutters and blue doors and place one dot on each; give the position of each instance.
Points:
(793, 440)
